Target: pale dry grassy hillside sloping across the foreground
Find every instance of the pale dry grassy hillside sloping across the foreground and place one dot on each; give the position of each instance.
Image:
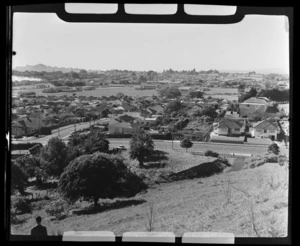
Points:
(248, 203)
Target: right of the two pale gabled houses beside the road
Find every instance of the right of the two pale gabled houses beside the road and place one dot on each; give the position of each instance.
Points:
(265, 129)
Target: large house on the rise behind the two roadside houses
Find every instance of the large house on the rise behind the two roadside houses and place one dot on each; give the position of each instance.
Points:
(253, 105)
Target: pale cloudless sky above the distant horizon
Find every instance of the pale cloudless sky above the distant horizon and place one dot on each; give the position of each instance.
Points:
(256, 43)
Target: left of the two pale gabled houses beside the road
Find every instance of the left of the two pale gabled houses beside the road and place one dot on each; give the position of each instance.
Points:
(231, 127)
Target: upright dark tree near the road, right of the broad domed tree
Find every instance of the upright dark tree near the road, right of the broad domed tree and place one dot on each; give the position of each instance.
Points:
(141, 146)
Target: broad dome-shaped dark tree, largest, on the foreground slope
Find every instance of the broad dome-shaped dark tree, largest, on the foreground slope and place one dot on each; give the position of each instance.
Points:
(99, 175)
